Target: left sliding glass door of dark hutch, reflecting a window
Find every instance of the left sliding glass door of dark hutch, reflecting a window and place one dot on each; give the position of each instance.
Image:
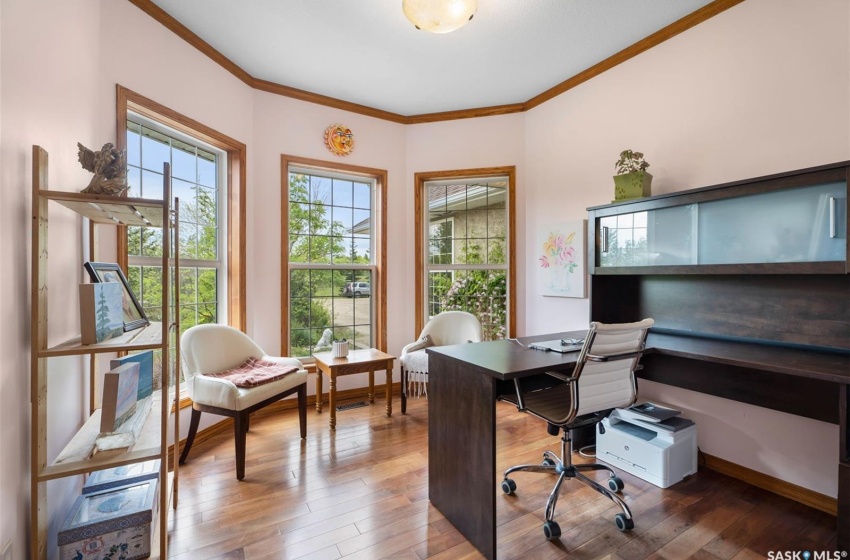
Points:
(666, 236)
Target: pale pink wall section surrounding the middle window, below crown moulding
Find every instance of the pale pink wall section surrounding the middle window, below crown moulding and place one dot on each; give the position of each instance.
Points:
(296, 128)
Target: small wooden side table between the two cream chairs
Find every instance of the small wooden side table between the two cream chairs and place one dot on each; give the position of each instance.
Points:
(358, 361)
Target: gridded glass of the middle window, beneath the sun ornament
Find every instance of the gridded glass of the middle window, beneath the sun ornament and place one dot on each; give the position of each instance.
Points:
(331, 270)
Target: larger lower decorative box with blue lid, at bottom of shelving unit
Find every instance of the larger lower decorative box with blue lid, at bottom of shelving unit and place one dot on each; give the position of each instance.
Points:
(116, 523)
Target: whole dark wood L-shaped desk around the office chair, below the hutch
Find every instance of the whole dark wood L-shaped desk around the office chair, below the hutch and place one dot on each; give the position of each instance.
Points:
(465, 382)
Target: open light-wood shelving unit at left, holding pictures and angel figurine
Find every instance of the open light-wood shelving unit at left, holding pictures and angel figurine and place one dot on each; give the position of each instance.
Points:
(152, 442)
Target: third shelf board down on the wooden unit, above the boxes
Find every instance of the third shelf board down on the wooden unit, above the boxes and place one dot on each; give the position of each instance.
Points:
(74, 459)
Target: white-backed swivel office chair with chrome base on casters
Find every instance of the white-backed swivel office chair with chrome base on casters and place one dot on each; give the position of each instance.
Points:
(603, 379)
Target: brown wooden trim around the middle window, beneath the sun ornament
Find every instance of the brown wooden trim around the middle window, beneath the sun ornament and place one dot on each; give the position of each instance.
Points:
(380, 217)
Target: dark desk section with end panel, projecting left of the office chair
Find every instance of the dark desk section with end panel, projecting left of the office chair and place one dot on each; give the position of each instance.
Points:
(464, 381)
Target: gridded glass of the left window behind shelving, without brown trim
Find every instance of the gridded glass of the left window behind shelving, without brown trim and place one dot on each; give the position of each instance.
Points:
(196, 172)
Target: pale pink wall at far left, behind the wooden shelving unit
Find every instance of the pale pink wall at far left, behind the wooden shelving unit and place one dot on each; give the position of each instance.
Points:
(48, 98)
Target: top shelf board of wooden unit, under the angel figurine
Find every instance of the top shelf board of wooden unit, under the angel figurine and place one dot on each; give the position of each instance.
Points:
(114, 210)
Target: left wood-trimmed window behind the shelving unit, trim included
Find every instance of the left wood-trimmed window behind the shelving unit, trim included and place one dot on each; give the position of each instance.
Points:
(208, 176)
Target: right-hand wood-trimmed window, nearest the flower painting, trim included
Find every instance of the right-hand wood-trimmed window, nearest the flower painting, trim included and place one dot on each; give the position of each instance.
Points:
(465, 249)
